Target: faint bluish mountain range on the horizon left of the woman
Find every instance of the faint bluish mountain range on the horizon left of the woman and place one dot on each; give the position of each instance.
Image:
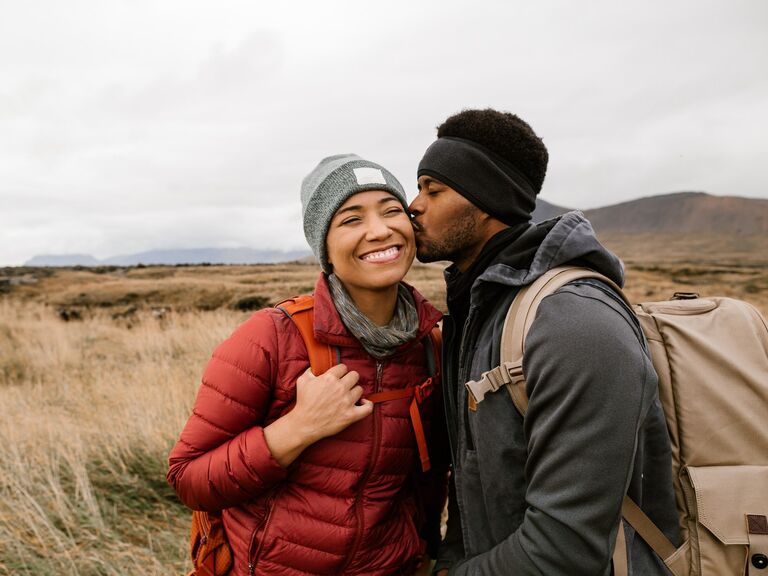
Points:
(171, 257)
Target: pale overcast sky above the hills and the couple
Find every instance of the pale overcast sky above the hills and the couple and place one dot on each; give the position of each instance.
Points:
(133, 125)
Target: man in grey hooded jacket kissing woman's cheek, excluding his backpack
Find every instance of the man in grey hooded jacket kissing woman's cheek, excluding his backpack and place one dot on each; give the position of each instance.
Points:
(539, 495)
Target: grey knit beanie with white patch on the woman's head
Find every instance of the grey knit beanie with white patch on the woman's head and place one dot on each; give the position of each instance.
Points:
(329, 185)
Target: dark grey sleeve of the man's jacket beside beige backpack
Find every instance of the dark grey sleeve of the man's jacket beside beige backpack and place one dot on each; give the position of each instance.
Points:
(589, 391)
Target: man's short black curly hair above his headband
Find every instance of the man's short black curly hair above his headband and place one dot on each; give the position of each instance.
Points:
(506, 135)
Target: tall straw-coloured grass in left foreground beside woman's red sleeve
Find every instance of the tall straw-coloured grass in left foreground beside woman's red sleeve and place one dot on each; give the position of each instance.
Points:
(88, 413)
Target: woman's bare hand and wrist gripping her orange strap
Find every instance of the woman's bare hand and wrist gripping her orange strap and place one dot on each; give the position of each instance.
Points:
(325, 405)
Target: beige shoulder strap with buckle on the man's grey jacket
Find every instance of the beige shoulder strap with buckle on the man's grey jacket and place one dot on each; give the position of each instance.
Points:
(518, 321)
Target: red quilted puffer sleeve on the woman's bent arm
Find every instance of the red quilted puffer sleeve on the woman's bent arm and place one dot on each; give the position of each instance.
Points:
(221, 458)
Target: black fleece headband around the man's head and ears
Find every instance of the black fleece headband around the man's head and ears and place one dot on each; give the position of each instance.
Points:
(483, 177)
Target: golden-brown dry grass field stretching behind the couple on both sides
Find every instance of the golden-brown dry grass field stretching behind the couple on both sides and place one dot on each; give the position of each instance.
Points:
(99, 367)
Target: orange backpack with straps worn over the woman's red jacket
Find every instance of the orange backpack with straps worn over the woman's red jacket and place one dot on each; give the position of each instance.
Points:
(209, 548)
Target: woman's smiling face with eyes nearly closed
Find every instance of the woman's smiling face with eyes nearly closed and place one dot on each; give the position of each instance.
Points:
(370, 242)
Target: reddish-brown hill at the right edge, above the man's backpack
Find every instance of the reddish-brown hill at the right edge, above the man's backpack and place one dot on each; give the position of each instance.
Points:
(684, 213)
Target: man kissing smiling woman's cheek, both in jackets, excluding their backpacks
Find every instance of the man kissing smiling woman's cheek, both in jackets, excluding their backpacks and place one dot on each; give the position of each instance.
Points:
(335, 485)
